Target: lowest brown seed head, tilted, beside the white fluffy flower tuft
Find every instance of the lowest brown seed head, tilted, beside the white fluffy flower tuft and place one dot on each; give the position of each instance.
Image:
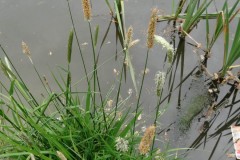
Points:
(146, 141)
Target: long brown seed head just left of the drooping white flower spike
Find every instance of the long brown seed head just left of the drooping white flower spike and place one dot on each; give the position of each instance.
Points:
(152, 28)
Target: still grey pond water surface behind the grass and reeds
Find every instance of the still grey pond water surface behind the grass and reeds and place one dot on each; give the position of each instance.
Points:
(44, 25)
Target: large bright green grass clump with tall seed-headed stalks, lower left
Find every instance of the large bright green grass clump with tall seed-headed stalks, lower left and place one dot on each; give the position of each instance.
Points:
(71, 125)
